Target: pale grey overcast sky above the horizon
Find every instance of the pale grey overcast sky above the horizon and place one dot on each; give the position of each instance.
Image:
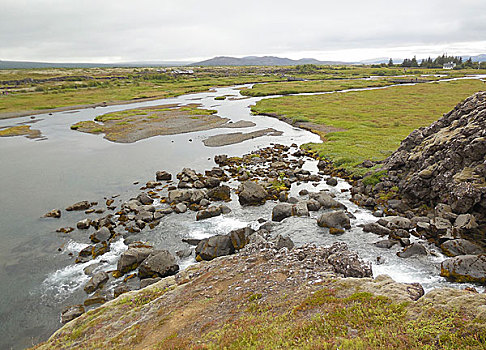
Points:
(151, 30)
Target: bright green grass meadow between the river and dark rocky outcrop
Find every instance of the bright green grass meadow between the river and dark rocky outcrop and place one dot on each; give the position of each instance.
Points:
(376, 121)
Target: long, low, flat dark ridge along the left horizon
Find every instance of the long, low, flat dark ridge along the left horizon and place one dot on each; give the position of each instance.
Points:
(31, 65)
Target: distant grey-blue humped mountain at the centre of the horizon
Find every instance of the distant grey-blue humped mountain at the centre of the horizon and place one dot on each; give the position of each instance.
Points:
(260, 61)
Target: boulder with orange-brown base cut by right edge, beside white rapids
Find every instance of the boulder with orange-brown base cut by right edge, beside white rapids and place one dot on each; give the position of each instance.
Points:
(465, 268)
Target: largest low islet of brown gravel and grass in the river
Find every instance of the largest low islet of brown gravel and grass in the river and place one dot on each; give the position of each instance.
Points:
(136, 124)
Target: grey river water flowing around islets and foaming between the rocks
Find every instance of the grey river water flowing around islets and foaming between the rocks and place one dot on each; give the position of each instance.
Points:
(38, 276)
